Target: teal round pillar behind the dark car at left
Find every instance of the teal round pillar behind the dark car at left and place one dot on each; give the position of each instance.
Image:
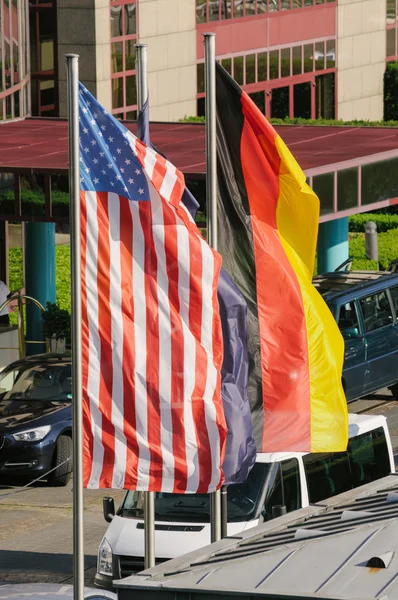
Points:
(39, 278)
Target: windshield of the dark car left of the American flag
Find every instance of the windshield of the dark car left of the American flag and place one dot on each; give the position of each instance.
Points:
(45, 381)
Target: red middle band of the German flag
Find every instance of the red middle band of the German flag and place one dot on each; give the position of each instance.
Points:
(283, 336)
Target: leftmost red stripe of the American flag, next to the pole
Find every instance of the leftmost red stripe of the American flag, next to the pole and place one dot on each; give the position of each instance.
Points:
(88, 442)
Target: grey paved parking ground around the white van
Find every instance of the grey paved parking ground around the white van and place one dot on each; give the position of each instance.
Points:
(36, 523)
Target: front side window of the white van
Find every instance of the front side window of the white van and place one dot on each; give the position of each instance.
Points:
(288, 494)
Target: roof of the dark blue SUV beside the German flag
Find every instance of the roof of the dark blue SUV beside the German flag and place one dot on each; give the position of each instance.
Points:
(348, 285)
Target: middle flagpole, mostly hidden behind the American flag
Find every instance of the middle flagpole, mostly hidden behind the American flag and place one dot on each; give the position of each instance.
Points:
(141, 66)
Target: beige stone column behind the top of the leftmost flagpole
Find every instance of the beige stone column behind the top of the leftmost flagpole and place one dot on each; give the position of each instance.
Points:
(84, 28)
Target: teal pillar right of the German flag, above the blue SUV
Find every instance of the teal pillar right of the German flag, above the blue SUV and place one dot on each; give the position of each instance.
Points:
(332, 244)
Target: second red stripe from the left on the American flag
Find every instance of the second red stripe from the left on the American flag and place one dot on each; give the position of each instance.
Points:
(105, 333)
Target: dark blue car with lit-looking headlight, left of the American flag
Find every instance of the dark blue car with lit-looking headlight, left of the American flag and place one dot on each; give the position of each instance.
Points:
(36, 419)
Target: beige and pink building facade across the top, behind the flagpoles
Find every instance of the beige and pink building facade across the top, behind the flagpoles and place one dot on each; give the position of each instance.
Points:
(295, 58)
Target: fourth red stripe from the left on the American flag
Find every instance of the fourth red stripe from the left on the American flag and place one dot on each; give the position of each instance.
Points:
(152, 349)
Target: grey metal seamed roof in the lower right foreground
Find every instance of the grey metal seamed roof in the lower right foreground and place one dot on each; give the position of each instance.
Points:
(344, 548)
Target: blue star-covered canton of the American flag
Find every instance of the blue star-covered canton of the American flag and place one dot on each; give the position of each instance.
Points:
(108, 161)
